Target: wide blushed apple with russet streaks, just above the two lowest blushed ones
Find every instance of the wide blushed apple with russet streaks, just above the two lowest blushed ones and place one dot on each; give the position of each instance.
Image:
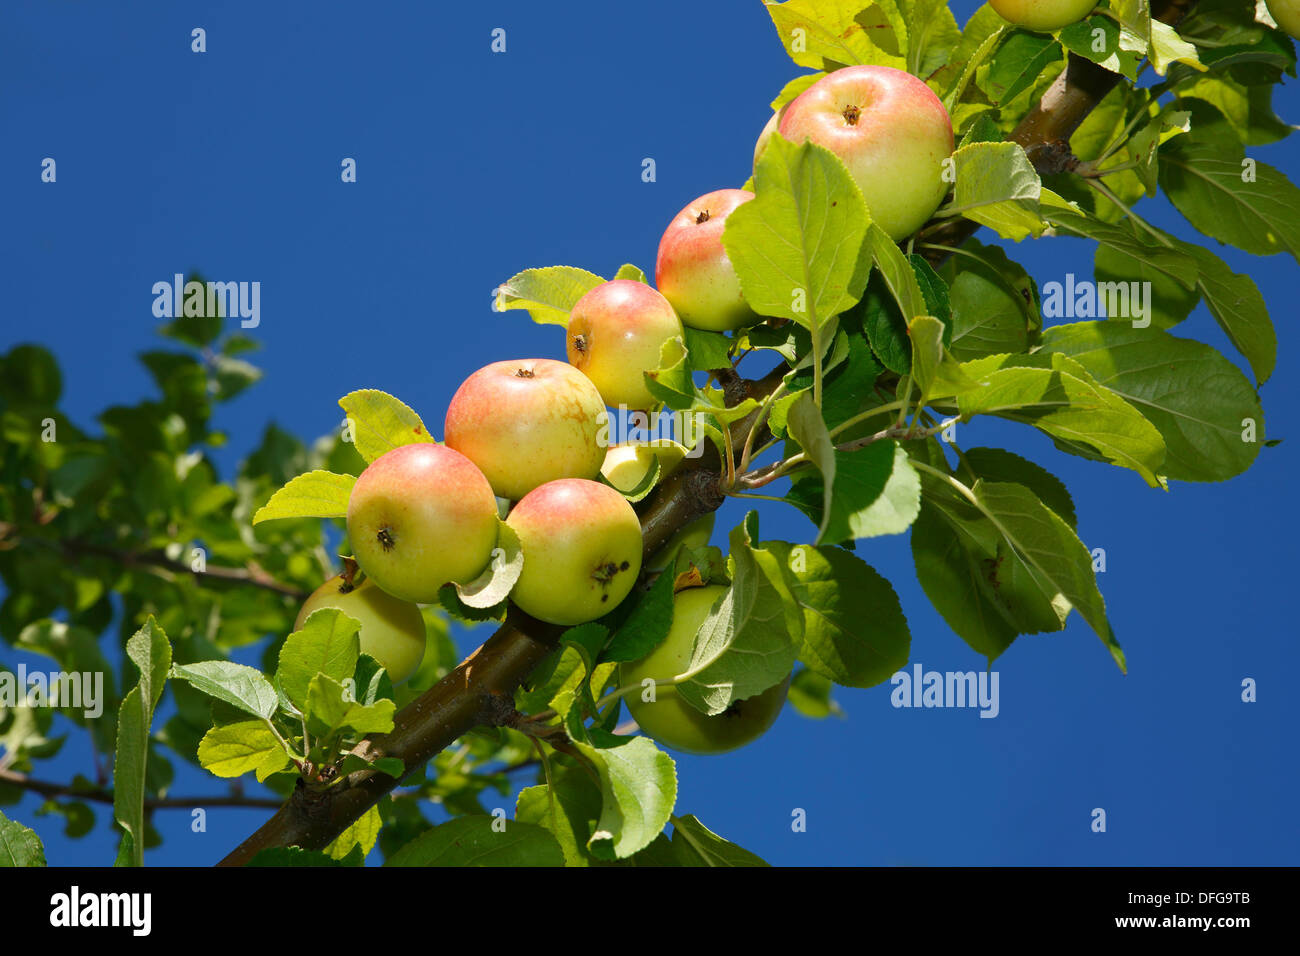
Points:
(526, 423)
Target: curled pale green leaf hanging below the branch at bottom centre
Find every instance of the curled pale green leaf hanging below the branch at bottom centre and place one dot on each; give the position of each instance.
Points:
(639, 790)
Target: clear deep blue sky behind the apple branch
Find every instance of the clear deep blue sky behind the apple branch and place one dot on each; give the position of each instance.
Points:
(474, 166)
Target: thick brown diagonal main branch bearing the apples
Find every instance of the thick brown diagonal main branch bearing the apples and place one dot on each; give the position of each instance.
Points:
(453, 707)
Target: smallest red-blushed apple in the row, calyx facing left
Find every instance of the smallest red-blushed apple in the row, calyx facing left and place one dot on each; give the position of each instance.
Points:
(616, 334)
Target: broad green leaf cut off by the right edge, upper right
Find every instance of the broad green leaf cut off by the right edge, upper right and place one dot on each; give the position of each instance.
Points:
(1207, 184)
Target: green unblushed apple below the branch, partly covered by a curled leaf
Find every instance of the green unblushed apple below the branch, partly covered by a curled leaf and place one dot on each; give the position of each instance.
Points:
(669, 719)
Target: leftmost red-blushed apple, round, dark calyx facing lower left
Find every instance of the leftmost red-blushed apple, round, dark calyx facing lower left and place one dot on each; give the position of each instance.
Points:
(419, 517)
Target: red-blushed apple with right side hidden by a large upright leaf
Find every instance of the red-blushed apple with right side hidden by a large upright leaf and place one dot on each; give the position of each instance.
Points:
(694, 271)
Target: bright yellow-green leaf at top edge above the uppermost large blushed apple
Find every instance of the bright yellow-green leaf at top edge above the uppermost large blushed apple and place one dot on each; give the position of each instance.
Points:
(825, 34)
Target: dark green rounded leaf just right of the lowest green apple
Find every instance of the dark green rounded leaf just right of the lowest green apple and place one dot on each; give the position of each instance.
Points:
(855, 630)
